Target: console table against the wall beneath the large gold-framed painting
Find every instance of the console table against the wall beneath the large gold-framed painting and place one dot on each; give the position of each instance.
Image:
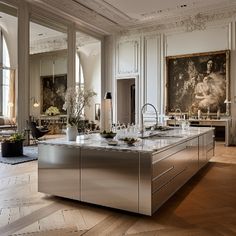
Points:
(220, 124)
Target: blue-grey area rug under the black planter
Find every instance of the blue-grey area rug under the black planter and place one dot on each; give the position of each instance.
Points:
(30, 153)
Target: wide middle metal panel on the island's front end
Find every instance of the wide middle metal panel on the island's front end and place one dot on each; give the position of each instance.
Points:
(110, 178)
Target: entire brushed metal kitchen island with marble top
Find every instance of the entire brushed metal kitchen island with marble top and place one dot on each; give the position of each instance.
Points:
(137, 178)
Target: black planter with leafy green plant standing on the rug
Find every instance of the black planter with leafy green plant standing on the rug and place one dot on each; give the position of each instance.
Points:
(12, 145)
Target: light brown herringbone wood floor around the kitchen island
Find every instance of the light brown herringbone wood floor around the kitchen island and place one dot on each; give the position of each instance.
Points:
(206, 205)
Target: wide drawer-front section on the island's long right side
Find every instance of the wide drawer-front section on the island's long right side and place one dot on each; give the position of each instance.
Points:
(173, 168)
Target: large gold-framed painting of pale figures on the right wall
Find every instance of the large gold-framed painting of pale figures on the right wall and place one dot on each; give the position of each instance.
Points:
(198, 82)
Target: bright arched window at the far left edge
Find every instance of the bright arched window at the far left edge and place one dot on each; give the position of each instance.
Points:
(4, 76)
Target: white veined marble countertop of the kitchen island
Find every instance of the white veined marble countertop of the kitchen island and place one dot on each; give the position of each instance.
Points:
(163, 139)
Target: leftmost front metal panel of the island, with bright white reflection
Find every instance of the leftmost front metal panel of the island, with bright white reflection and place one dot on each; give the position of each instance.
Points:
(59, 170)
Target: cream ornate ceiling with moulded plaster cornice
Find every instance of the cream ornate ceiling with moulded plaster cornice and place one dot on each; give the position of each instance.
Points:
(110, 16)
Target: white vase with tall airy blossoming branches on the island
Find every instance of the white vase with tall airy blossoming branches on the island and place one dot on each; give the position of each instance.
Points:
(76, 100)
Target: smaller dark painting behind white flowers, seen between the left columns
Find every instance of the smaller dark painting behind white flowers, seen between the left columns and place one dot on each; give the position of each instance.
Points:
(53, 89)
